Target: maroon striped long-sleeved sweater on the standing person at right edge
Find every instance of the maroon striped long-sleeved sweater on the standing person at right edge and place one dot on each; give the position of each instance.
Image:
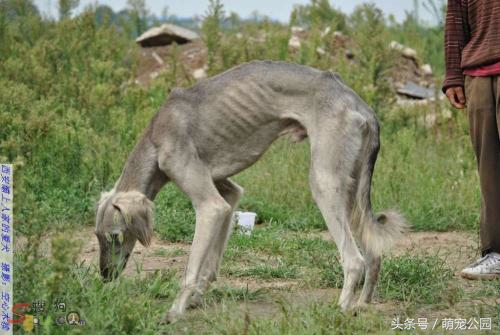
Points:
(472, 37)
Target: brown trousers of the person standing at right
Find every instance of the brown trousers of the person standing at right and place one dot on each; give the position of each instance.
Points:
(483, 104)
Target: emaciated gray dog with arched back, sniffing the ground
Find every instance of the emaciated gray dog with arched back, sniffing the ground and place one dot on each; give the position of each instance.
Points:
(221, 126)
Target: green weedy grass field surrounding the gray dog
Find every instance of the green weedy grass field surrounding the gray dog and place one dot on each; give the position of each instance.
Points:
(72, 112)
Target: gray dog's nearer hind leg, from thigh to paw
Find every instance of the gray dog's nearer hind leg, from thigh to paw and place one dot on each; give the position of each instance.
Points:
(335, 145)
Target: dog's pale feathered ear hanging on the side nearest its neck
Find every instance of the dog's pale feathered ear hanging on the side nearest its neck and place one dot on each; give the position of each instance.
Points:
(137, 211)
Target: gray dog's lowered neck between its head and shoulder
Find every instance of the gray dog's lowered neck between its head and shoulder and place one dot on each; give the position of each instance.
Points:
(141, 172)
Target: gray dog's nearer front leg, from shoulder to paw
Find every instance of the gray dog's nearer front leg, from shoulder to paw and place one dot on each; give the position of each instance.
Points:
(212, 211)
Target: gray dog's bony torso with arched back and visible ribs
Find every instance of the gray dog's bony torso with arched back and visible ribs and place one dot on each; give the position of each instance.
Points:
(232, 118)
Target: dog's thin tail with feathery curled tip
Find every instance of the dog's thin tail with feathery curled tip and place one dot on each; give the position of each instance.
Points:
(376, 233)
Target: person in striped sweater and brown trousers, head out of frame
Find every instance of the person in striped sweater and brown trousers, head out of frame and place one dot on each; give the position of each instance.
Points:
(472, 48)
